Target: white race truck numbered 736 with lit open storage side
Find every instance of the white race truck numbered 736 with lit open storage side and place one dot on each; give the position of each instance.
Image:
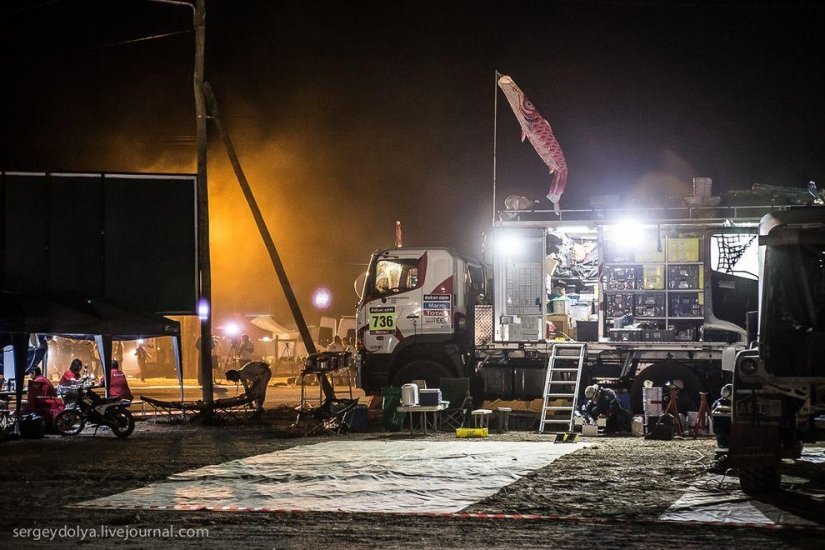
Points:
(657, 295)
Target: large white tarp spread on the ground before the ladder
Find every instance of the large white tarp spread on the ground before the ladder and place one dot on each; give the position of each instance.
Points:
(351, 476)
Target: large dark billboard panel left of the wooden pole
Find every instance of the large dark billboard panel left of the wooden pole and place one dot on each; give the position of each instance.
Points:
(127, 237)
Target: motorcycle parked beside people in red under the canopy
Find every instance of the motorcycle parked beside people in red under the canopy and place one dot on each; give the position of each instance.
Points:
(84, 406)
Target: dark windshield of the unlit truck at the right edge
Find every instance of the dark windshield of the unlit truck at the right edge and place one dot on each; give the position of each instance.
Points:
(794, 321)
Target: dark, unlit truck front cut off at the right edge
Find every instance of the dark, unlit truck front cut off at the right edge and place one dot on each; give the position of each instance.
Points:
(779, 385)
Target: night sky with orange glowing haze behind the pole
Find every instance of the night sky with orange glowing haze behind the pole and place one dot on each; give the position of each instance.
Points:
(348, 116)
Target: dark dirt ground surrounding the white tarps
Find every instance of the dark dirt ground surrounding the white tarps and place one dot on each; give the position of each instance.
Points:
(610, 494)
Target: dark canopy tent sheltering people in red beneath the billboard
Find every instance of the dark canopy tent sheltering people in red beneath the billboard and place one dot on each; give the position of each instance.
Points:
(80, 318)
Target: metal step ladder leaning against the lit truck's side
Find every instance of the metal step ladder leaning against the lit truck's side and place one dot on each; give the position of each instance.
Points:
(561, 383)
